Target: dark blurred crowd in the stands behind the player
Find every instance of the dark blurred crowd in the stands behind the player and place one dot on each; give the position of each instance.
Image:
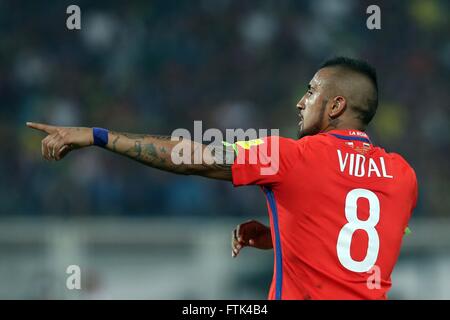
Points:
(154, 66)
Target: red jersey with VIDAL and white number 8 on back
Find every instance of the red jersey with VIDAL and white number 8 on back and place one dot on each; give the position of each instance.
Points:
(338, 210)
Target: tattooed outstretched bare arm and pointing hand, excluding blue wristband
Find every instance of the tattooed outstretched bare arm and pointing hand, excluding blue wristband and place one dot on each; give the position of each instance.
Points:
(152, 150)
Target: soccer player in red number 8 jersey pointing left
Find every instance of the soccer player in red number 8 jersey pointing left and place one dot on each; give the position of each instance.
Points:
(338, 205)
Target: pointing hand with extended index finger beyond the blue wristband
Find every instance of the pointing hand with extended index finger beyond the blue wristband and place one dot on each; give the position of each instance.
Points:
(61, 140)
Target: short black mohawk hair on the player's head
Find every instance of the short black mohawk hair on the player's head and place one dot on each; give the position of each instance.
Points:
(364, 68)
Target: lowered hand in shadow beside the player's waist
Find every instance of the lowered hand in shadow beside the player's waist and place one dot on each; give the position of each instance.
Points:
(250, 234)
